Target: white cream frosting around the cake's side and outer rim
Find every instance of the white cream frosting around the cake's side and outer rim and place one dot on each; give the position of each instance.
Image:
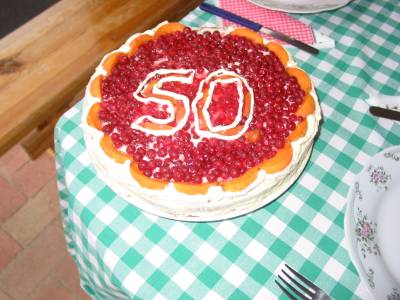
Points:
(216, 204)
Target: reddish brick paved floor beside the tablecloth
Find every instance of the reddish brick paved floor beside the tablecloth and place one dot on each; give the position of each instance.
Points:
(34, 263)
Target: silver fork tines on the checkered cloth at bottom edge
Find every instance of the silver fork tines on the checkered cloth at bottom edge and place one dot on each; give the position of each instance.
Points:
(305, 290)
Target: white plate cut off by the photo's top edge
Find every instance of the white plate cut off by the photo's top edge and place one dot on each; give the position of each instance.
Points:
(301, 6)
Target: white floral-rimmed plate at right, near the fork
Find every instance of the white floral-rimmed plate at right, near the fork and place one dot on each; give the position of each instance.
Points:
(372, 224)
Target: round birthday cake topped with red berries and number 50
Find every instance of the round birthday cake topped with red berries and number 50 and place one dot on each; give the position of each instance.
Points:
(199, 124)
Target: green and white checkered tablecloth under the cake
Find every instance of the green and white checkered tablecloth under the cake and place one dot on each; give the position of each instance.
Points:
(124, 253)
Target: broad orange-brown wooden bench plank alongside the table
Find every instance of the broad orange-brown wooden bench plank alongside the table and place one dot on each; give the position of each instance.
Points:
(47, 61)
